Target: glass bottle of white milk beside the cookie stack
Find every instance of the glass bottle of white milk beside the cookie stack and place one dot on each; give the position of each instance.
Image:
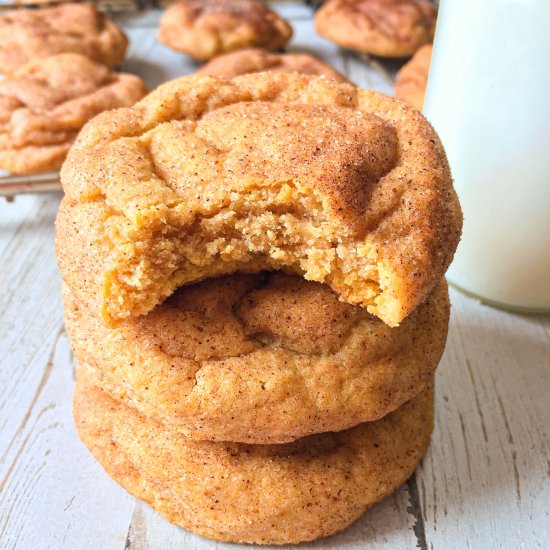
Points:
(489, 99)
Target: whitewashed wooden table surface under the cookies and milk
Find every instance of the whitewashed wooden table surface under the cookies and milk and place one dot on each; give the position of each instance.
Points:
(484, 484)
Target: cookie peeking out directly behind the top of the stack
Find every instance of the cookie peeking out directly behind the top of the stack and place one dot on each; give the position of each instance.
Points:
(256, 61)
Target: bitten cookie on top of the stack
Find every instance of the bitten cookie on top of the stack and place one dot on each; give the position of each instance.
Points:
(269, 171)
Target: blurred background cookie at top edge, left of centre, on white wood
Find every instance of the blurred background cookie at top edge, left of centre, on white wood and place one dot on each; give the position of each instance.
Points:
(204, 29)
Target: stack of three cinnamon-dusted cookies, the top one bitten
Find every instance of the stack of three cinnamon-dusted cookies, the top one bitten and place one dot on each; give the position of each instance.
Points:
(253, 288)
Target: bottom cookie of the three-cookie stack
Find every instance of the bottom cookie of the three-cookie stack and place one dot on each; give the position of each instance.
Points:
(277, 494)
